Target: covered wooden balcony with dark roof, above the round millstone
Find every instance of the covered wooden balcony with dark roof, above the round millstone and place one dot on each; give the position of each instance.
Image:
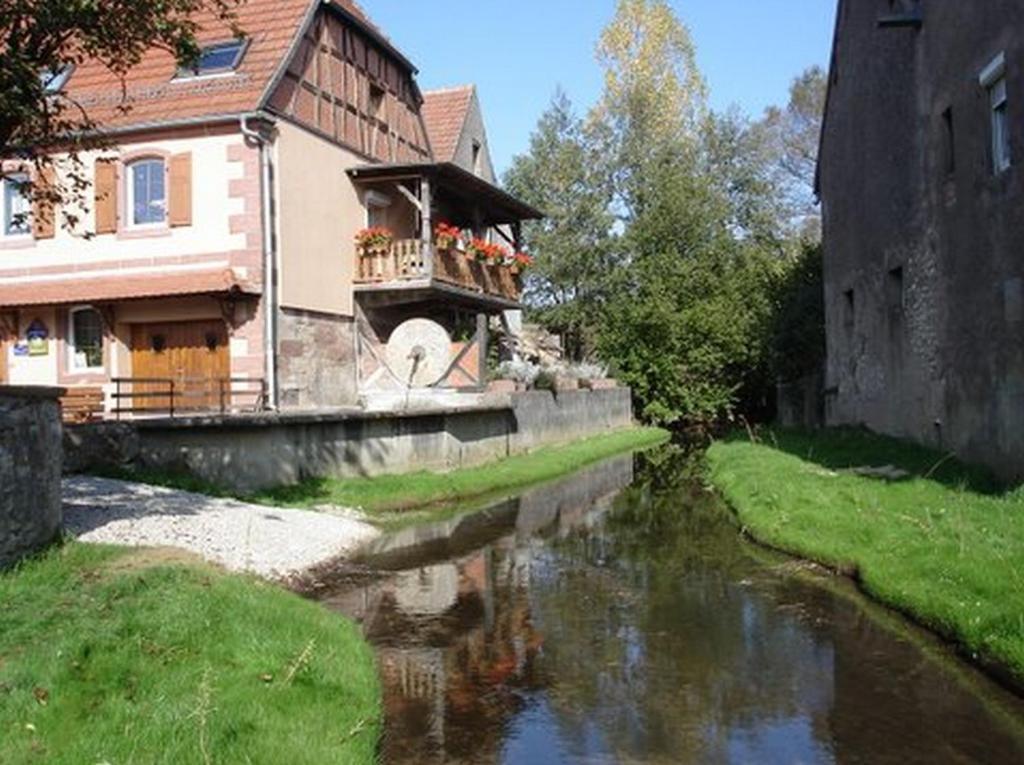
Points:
(409, 201)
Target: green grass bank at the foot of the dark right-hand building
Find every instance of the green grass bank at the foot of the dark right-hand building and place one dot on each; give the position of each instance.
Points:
(944, 545)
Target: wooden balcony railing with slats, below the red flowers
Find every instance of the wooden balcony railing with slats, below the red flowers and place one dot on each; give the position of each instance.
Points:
(411, 261)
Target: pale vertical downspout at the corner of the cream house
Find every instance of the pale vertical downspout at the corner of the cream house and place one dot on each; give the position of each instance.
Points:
(270, 258)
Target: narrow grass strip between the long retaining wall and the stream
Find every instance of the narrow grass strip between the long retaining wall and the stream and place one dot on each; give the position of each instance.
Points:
(385, 497)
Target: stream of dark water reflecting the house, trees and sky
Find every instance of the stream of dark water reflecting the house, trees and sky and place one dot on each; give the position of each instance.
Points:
(619, 619)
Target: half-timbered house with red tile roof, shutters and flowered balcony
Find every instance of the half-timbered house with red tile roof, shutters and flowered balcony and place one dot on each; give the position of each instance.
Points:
(218, 266)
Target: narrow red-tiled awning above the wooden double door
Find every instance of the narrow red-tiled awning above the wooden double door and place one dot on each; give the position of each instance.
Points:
(65, 291)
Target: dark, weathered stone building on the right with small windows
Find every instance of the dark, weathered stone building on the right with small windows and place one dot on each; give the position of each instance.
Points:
(923, 204)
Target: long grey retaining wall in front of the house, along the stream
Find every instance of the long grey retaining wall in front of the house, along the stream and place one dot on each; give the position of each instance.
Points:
(250, 453)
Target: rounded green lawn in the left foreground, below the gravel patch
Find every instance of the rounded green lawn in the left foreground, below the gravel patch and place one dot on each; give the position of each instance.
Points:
(115, 657)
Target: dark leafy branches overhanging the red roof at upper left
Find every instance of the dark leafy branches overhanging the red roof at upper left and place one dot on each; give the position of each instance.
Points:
(41, 39)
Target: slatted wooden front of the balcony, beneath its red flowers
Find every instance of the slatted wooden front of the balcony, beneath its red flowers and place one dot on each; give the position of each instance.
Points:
(411, 265)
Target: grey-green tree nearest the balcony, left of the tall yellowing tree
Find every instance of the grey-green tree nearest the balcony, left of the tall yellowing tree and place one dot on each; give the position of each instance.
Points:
(564, 175)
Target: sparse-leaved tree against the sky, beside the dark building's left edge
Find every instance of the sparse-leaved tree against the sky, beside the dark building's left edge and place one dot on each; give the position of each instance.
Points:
(794, 134)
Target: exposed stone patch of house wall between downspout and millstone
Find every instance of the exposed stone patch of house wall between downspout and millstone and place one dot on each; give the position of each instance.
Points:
(316, 361)
